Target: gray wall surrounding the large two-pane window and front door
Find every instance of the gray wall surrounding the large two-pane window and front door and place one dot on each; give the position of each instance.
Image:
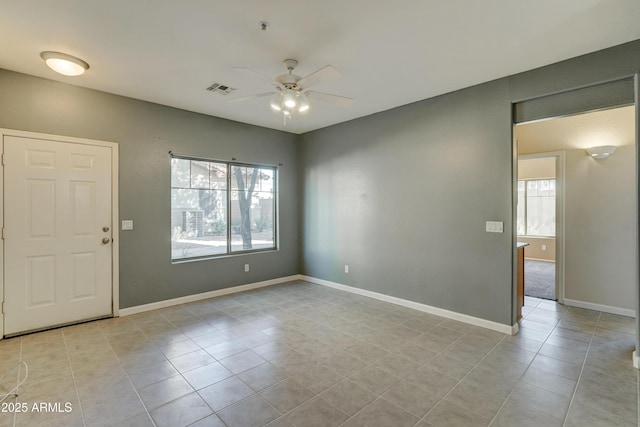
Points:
(145, 133)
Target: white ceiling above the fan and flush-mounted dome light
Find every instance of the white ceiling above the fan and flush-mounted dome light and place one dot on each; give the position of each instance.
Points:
(390, 53)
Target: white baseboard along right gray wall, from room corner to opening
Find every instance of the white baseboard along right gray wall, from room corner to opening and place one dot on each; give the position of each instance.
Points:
(476, 321)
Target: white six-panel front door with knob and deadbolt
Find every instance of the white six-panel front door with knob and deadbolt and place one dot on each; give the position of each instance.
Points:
(57, 233)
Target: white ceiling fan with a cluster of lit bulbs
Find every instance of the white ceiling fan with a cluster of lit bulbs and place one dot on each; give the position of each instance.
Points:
(292, 91)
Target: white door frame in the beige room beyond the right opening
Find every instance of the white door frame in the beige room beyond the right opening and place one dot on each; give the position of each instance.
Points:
(560, 195)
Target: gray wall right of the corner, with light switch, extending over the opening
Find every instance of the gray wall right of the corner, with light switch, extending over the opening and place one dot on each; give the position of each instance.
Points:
(402, 196)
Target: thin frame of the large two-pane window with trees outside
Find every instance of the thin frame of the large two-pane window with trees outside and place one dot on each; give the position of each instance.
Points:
(230, 252)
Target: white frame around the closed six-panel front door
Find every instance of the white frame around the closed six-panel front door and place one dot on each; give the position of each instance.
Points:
(115, 247)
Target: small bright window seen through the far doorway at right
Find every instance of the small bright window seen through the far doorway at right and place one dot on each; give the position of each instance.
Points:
(536, 213)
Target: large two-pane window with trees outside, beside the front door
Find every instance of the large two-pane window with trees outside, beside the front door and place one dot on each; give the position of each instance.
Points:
(221, 208)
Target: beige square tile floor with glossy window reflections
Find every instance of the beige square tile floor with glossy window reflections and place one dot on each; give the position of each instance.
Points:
(305, 355)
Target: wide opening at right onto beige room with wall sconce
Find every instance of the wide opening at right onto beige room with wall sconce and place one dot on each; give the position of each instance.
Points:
(595, 211)
